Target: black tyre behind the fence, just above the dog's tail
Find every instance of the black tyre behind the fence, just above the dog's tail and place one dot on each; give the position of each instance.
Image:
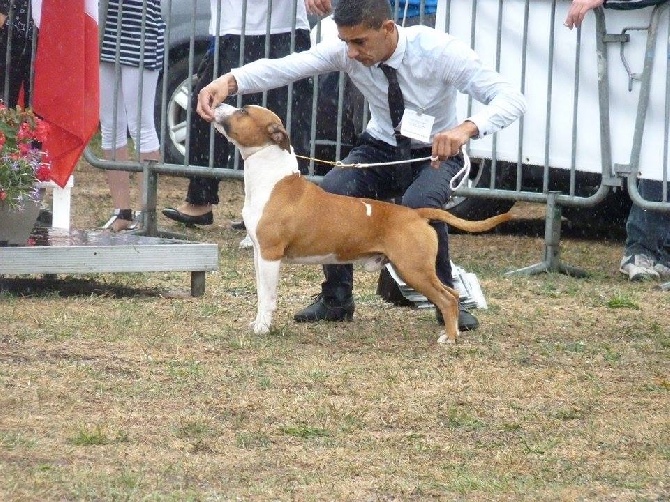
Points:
(479, 208)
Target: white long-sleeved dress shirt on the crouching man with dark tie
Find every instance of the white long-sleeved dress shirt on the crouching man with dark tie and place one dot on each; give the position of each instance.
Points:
(432, 67)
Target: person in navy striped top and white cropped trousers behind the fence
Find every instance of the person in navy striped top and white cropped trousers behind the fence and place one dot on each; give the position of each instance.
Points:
(134, 31)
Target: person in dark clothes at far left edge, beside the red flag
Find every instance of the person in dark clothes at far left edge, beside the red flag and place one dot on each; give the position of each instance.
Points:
(21, 49)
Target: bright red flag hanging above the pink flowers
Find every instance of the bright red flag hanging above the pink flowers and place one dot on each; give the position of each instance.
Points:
(66, 89)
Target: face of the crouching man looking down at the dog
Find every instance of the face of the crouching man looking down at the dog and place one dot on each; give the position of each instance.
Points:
(369, 46)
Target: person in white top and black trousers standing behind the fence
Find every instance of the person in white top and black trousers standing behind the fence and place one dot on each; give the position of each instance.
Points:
(203, 192)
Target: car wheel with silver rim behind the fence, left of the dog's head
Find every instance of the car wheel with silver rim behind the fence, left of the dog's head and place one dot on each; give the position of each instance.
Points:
(178, 101)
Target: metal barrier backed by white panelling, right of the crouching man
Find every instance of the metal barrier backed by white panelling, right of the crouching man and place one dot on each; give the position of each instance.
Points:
(571, 80)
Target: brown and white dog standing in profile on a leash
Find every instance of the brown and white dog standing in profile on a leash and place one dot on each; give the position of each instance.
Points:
(291, 219)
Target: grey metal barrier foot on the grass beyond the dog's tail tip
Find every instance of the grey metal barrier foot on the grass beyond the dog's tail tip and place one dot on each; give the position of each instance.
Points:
(552, 238)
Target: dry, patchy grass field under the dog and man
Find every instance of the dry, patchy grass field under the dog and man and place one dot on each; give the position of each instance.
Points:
(122, 387)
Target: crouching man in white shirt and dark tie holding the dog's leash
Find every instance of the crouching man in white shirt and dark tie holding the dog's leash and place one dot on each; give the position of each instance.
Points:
(431, 67)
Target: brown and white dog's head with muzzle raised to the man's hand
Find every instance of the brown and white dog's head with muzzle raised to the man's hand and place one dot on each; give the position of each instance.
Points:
(251, 127)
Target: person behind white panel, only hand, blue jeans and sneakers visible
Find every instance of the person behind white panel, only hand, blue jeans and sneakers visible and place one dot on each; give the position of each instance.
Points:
(647, 248)
